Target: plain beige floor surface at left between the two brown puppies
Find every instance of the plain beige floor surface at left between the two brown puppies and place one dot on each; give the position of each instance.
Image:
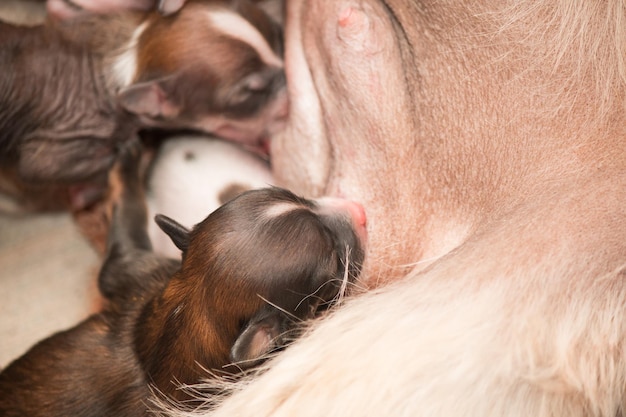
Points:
(47, 279)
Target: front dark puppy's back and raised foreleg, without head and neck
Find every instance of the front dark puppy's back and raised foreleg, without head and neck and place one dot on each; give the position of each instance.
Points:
(92, 369)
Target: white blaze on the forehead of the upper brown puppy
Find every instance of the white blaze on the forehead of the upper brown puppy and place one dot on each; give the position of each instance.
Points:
(235, 26)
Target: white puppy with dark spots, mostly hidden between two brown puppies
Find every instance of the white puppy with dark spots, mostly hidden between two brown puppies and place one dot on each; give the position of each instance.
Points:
(192, 175)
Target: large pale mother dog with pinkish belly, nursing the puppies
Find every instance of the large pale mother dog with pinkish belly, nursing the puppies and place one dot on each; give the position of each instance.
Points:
(486, 141)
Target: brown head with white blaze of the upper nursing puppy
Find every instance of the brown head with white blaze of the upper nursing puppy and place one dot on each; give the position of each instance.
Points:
(213, 66)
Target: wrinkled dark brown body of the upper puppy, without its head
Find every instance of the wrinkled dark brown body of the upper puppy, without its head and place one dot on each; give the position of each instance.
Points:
(57, 116)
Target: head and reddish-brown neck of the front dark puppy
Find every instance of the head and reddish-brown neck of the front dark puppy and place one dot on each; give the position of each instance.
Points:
(251, 271)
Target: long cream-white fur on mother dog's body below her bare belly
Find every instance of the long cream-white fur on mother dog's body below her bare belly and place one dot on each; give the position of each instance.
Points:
(442, 350)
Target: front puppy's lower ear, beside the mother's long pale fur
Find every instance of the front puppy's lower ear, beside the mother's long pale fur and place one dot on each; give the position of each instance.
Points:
(258, 338)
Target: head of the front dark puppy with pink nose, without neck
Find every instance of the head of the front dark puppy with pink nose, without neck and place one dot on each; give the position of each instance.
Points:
(268, 259)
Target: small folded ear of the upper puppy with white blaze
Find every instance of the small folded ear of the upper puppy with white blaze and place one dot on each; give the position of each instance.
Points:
(150, 99)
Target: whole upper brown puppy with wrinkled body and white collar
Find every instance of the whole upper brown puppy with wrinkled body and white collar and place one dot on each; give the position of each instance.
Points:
(73, 89)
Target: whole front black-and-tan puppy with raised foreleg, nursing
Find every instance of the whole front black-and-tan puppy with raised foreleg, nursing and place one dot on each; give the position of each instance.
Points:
(251, 271)
